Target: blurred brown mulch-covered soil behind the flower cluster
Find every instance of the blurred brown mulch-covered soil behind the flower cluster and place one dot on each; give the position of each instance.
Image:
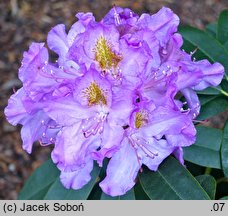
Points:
(22, 22)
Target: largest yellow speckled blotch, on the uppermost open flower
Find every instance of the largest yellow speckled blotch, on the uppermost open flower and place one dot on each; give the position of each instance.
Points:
(104, 54)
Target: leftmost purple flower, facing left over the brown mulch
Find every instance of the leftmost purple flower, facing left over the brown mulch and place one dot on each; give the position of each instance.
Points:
(37, 126)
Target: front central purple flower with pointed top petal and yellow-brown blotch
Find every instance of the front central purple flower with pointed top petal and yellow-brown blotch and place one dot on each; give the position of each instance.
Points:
(91, 117)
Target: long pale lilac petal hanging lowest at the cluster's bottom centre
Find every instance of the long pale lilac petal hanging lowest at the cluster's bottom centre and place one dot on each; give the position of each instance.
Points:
(121, 171)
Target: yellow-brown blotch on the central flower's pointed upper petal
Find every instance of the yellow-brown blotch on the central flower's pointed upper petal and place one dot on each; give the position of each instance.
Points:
(95, 95)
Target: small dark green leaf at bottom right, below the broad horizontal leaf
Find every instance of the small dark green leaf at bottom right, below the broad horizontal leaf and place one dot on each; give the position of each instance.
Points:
(208, 183)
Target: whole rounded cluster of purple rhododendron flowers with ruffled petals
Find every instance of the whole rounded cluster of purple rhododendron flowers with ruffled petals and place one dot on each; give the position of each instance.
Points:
(121, 89)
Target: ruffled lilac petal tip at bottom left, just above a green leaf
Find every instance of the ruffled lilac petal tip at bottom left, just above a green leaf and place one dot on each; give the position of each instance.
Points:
(77, 179)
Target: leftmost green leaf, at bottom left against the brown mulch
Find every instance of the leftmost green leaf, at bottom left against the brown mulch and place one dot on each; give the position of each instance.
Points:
(39, 181)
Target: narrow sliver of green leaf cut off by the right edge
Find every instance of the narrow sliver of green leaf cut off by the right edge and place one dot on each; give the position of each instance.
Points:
(224, 150)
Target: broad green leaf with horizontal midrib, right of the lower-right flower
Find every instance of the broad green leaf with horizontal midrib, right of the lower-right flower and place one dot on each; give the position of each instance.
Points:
(206, 150)
